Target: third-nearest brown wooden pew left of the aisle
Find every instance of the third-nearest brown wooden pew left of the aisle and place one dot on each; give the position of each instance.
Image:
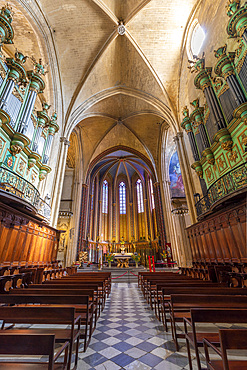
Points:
(81, 303)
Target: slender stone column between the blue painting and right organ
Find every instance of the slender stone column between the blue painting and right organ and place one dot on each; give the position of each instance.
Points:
(186, 174)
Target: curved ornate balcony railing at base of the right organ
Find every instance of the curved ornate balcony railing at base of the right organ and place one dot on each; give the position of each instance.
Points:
(233, 180)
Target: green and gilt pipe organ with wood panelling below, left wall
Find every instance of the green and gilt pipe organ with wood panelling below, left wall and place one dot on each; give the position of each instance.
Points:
(25, 144)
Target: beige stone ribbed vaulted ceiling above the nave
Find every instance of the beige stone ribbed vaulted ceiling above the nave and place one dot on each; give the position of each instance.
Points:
(107, 78)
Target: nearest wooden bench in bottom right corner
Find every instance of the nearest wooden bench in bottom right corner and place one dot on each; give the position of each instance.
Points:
(229, 339)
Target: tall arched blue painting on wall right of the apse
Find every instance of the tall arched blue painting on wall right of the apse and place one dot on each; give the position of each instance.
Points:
(177, 186)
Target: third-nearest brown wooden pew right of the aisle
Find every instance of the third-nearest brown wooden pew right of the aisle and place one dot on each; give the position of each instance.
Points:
(180, 306)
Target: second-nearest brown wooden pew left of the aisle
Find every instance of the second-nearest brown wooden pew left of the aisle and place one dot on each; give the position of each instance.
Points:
(46, 315)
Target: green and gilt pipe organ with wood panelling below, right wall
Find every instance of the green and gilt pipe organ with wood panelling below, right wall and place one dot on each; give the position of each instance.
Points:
(218, 137)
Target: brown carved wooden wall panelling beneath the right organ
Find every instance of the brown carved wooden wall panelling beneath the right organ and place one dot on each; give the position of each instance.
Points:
(220, 237)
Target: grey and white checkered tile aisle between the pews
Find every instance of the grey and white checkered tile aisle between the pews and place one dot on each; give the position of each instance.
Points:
(128, 336)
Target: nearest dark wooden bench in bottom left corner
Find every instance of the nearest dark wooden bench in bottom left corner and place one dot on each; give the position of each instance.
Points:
(31, 345)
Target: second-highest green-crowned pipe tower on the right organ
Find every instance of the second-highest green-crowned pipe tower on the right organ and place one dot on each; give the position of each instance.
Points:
(225, 68)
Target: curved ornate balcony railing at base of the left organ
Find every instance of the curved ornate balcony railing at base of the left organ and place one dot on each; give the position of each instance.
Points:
(21, 188)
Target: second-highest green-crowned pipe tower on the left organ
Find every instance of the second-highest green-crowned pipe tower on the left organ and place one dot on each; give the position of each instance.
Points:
(16, 73)
